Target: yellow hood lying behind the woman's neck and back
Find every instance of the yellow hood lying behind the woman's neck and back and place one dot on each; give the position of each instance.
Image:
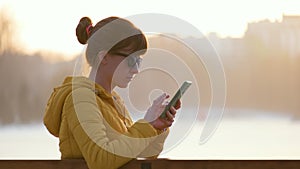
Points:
(52, 117)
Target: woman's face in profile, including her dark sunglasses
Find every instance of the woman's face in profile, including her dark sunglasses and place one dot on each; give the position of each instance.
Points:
(126, 66)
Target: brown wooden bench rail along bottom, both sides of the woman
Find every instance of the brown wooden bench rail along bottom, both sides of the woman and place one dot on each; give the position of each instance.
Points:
(156, 164)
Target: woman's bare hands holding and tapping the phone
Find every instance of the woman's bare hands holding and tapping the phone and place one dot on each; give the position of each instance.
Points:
(154, 112)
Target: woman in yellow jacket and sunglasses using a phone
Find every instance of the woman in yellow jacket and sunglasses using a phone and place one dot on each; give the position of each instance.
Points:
(86, 114)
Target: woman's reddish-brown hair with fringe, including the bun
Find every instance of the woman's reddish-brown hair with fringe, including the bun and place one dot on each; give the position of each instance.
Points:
(111, 35)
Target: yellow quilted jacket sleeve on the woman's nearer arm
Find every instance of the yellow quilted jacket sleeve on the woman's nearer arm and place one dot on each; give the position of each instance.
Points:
(91, 131)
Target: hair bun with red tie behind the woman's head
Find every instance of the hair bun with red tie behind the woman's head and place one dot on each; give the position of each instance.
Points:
(82, 32)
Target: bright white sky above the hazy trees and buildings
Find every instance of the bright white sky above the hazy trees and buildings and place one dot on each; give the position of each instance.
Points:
(50, 24)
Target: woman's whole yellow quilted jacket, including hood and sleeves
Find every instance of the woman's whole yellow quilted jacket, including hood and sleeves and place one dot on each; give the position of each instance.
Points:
(95, 125)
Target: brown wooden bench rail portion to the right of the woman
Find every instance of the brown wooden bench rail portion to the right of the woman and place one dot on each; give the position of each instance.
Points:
(212, 164)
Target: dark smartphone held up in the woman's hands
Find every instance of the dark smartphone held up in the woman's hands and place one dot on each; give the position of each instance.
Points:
(177, 96)
